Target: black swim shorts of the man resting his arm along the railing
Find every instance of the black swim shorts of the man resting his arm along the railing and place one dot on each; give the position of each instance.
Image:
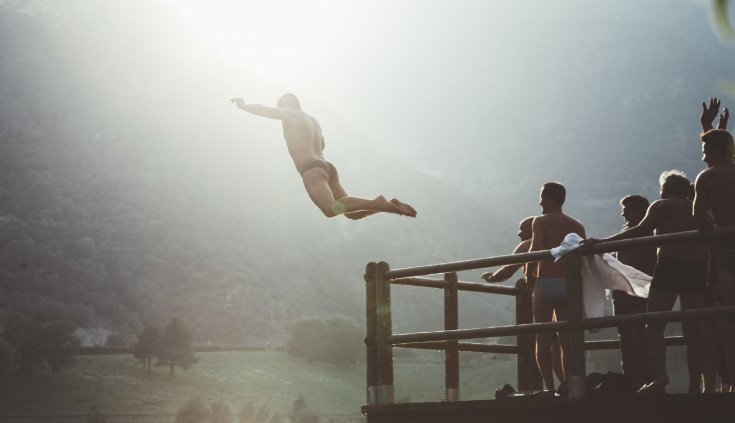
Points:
(679, 276)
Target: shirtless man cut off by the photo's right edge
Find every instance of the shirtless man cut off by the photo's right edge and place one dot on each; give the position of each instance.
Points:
(715, 196)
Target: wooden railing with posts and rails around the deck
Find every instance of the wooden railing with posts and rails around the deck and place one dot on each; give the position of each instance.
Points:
(380, 339)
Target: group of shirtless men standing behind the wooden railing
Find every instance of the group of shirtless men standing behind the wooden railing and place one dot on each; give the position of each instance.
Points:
(697, 274)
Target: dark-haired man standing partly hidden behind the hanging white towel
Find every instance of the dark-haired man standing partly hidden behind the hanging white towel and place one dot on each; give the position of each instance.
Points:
(635, 360)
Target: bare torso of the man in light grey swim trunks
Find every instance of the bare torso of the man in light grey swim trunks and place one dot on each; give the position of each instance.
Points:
(554, 227)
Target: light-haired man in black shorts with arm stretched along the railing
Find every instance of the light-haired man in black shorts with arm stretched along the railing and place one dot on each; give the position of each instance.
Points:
(681, 270)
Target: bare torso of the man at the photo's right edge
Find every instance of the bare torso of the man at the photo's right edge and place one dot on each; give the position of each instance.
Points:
(717, 184)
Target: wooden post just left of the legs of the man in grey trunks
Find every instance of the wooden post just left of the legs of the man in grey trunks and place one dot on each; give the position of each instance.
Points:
(528, 375)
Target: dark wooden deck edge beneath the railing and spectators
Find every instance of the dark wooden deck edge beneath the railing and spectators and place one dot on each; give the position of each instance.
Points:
(671, 408)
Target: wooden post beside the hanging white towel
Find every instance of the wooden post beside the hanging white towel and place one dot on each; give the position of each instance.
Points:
(577, 374)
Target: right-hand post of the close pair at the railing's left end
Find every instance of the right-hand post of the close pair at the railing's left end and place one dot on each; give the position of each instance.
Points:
(384, 330)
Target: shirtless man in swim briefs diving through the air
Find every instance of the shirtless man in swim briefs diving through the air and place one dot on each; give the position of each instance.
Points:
(306, 145)
